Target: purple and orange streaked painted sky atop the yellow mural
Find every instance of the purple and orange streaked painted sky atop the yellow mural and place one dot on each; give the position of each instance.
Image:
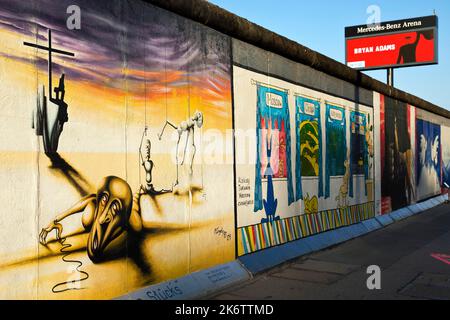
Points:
(121, 34)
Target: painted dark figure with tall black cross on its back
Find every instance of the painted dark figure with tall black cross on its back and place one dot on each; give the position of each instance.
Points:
(49, 117)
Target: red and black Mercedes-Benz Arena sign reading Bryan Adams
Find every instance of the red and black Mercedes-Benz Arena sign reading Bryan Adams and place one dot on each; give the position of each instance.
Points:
(393, 44)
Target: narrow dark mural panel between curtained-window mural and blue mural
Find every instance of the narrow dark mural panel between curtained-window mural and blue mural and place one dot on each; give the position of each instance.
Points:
(397, 174)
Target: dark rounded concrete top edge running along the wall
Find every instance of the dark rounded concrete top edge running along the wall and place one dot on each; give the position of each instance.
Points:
(239, 28)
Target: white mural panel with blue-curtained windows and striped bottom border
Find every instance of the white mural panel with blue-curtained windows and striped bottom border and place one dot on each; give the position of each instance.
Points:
(320, 150)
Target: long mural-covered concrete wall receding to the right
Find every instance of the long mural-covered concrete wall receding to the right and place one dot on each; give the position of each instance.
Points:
(181, 138)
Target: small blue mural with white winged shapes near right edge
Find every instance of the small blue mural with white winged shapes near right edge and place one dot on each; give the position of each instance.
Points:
(428, 159)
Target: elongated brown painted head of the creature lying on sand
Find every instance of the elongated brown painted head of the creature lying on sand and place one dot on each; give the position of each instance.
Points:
(112, 213)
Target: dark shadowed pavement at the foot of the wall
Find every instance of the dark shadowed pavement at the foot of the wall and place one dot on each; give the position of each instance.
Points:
(413, 255)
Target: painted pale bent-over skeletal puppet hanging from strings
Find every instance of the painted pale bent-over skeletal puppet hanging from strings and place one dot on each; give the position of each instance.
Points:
(187, 126)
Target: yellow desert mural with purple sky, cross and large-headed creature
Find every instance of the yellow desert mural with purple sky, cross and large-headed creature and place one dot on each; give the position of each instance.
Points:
(117, 156)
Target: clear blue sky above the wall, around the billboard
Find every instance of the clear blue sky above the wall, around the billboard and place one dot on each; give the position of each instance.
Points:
(320, 24)
